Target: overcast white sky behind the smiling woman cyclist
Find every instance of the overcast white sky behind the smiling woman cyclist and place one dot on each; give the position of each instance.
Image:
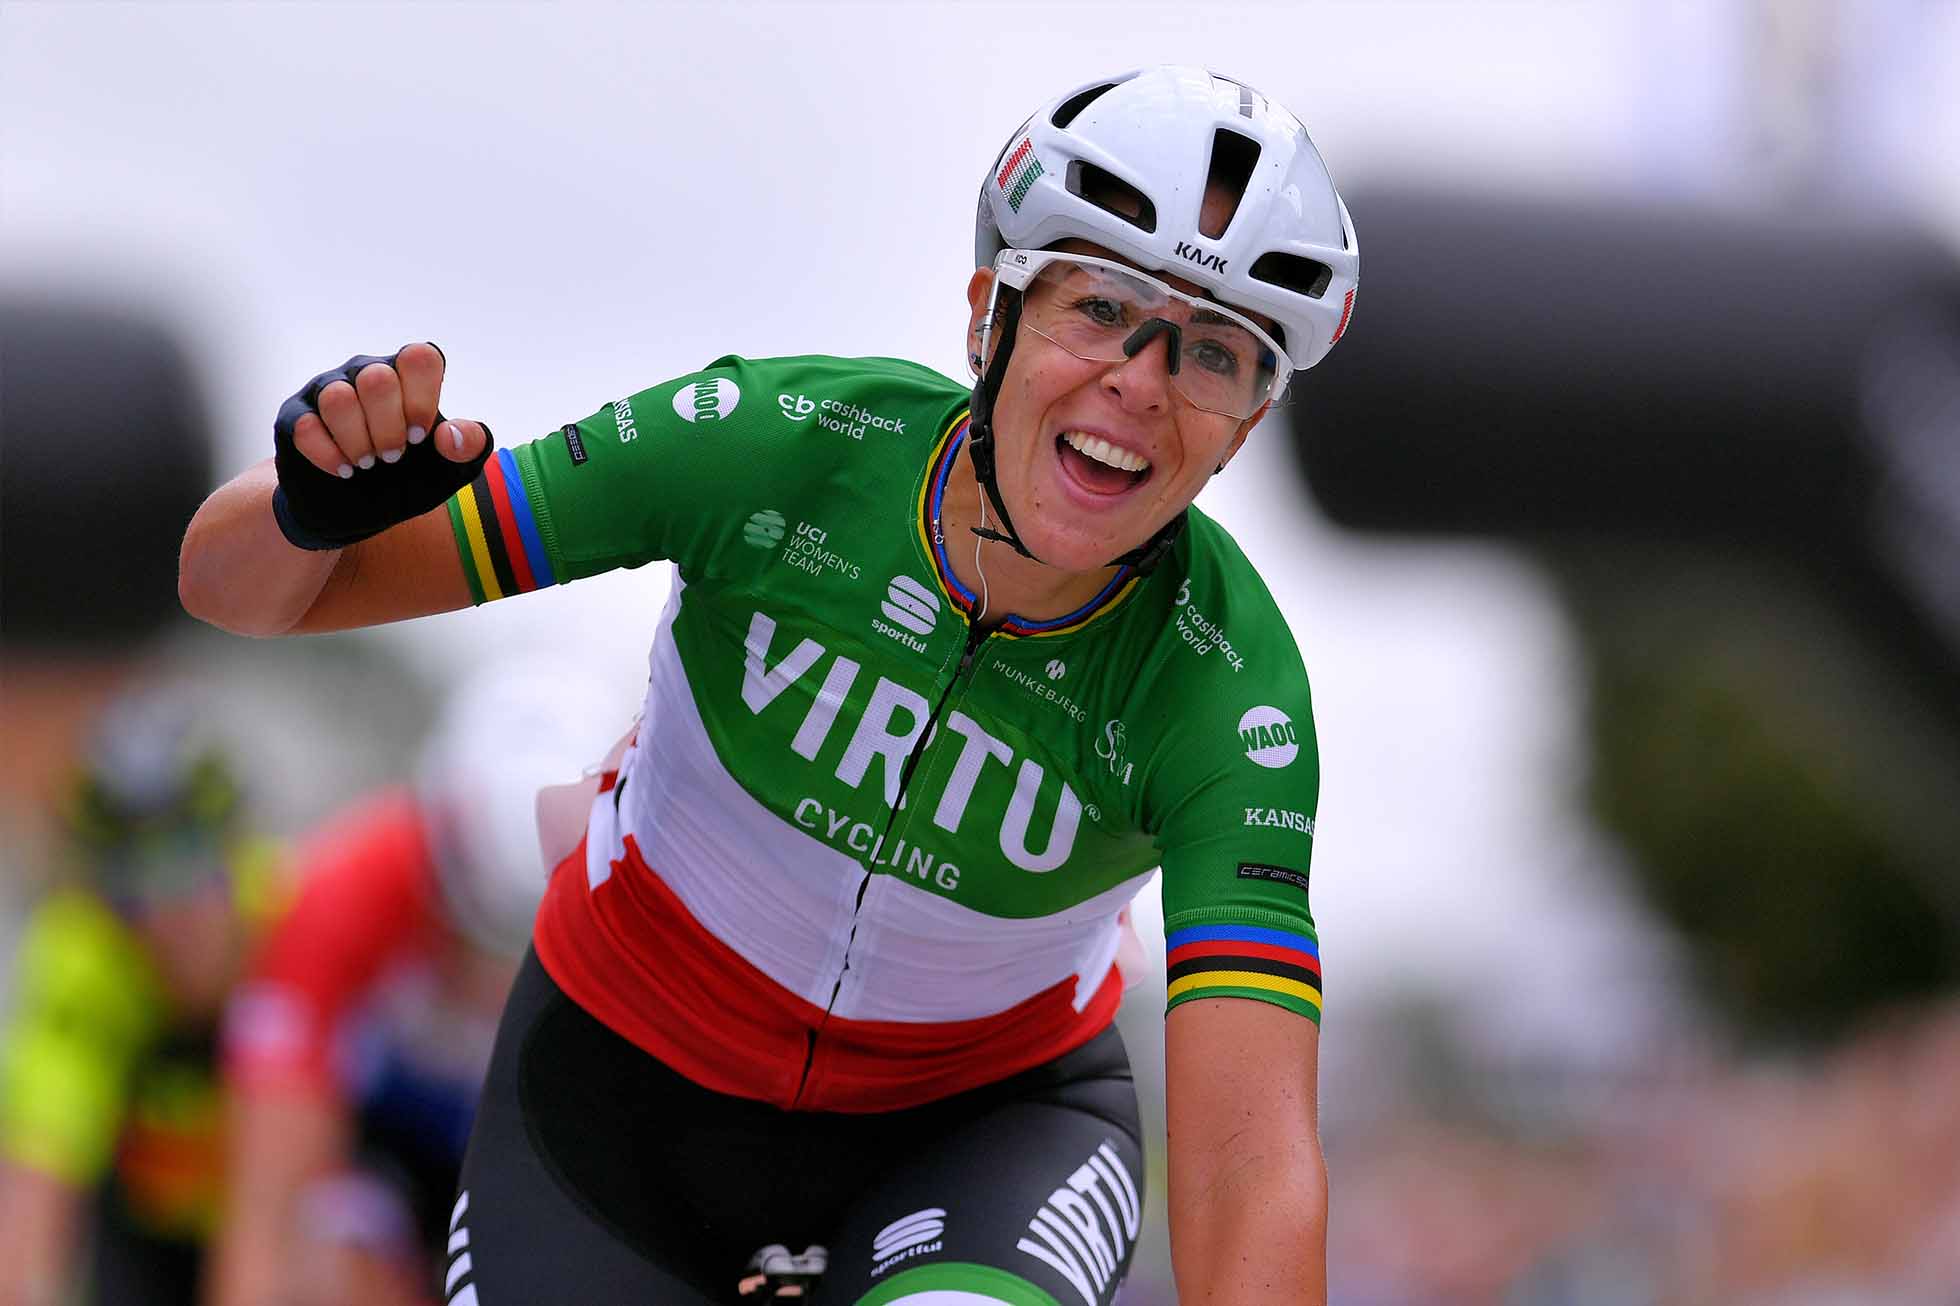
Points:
(577, 203)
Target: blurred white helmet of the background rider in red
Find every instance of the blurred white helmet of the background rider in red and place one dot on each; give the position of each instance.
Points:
(505, 734)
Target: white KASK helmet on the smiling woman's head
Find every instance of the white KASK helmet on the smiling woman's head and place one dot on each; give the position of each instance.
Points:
(1151, 142)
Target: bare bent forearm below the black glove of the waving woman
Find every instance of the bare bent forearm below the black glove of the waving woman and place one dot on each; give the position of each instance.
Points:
(238, 572)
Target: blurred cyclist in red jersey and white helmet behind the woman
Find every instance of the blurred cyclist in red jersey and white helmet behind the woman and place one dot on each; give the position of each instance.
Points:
(358, 1050)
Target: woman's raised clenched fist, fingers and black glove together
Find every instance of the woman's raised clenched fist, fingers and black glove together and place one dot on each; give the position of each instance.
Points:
(366, 446)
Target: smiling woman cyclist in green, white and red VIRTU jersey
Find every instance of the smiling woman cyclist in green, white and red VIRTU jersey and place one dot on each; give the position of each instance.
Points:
(946, 676)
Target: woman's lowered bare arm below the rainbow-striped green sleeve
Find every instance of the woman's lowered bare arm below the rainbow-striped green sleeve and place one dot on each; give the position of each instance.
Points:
(1248, 1176)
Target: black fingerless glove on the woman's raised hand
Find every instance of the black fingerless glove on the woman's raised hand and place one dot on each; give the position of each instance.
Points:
(320, 511)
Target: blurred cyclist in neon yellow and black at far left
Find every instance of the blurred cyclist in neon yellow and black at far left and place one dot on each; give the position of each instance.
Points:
(109, 1095)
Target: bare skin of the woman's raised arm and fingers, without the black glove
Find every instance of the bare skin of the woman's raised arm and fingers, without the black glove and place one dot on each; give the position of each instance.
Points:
(350, 452)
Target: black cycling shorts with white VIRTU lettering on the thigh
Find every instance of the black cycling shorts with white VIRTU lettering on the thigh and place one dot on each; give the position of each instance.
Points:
(599, 1176)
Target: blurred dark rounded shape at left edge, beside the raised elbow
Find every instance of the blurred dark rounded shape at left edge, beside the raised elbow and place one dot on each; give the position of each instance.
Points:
(103, 460)
